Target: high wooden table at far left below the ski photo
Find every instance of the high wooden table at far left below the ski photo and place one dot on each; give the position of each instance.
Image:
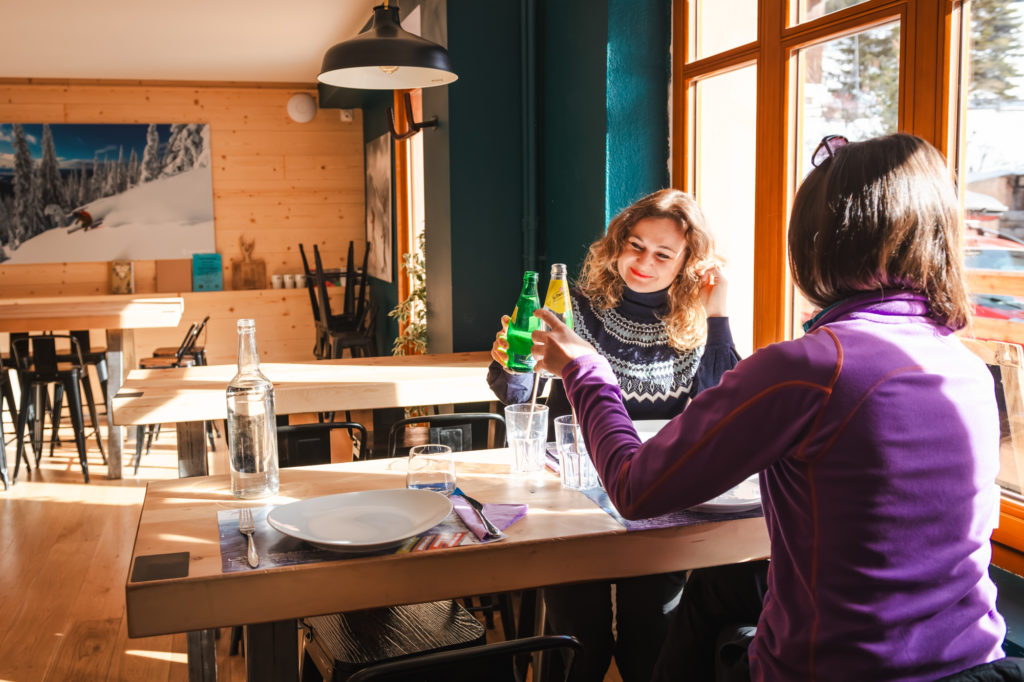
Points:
(119, 315)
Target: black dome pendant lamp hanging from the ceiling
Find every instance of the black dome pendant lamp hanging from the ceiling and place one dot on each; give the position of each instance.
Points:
(387, 58)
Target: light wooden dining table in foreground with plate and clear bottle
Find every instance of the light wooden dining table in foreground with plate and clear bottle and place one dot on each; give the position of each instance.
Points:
(564, 538)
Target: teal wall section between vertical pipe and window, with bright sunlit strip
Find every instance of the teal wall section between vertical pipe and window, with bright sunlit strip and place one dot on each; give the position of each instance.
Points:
(606, 72)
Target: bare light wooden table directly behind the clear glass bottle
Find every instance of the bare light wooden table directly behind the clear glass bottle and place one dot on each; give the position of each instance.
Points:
(188, 397)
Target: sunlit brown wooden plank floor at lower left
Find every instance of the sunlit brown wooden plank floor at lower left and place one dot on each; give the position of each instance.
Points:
(65, 549)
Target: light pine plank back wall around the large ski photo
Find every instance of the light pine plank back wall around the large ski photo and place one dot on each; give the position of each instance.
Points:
(275, 181)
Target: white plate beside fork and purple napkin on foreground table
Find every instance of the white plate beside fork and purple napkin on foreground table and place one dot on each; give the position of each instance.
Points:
(364, 522)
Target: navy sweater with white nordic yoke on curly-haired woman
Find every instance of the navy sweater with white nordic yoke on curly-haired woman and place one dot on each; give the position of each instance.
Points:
(656, 380)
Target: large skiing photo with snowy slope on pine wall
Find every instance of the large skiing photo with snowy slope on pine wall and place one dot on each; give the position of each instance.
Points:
(74, 193)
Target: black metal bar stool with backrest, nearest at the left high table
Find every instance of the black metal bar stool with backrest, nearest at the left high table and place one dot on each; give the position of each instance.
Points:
(42, 369)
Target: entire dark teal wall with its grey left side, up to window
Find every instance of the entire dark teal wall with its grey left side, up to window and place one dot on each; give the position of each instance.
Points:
(601, 84)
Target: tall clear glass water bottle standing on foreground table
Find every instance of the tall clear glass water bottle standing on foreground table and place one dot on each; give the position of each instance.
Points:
(252, 435)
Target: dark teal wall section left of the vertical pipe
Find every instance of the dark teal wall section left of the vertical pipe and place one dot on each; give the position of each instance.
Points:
(486, 149)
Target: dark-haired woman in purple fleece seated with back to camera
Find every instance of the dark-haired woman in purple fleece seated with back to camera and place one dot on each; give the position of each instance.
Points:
(876, 437)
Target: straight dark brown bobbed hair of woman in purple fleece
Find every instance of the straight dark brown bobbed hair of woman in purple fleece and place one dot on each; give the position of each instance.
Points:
(881, 215)
